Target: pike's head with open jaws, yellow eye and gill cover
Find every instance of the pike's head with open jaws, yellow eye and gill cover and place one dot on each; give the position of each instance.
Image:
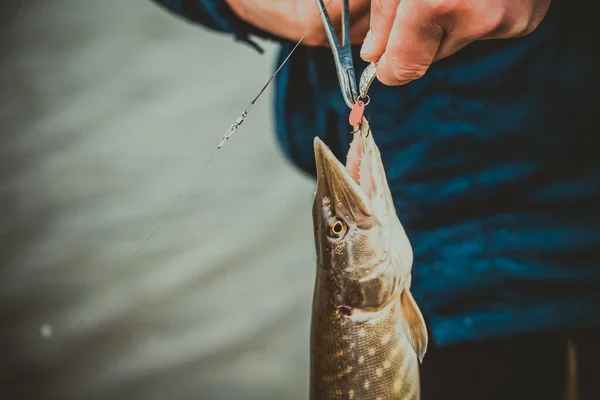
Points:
(359, 240)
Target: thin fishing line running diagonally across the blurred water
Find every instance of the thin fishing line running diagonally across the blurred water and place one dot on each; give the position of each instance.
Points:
(222, 141)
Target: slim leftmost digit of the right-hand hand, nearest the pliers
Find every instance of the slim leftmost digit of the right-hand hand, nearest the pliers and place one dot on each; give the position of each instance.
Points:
(383, 13)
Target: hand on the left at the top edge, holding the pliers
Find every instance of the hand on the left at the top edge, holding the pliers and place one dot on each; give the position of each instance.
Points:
(289, 19)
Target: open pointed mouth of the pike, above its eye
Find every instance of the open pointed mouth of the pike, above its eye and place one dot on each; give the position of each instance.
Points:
(350, 186)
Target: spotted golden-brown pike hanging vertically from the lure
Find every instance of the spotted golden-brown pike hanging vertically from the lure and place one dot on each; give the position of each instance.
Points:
(367, 334)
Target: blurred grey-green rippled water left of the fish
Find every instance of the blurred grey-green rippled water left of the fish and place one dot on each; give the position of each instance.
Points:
(108, 111)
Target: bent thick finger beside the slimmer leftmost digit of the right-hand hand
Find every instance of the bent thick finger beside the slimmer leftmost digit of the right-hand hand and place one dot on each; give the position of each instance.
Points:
(413, 43)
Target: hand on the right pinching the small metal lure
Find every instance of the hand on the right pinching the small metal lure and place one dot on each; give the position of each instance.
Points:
(406, 36)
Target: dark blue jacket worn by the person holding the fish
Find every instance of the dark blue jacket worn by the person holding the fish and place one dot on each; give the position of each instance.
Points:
(493, 161)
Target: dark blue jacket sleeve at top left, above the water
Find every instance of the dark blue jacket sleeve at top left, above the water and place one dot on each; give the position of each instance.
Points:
(217, 16)
